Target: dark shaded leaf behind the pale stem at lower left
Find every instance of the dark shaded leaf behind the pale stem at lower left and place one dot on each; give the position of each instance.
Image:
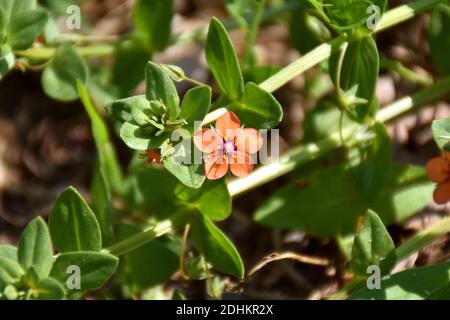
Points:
(151, 264)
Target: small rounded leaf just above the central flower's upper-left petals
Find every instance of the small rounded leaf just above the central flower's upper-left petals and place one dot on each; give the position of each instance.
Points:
(195, 106)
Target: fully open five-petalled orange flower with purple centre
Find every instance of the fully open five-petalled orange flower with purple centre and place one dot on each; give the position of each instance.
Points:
(228, 146)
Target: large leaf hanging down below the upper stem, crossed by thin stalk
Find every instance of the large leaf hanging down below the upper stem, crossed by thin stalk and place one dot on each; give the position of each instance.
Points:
(359, 71)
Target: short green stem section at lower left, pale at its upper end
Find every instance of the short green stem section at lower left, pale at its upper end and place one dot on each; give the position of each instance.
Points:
(141, 238)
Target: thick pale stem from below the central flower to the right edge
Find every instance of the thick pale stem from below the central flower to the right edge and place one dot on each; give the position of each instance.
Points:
(305, 153)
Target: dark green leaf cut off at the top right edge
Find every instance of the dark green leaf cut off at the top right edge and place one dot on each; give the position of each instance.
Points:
(438, 38)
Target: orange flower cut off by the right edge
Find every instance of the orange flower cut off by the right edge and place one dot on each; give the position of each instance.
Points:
(438, 170)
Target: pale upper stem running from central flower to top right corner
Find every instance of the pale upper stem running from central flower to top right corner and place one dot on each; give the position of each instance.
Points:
(322, 52)
